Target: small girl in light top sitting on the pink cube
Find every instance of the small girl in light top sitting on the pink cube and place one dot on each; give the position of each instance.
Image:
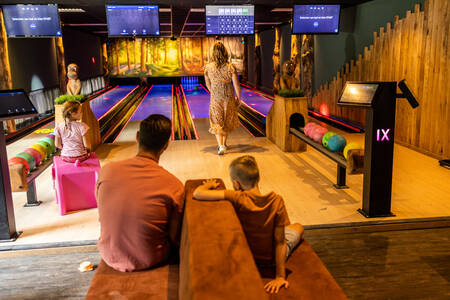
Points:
(70, 136)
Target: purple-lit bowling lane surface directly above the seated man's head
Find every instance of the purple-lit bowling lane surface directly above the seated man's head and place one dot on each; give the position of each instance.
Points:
(157, 101)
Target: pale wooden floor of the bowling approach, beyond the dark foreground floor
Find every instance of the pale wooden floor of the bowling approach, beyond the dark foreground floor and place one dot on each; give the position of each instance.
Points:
(305, 180)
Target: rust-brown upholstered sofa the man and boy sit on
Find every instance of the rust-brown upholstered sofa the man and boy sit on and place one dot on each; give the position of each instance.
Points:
(216, 263)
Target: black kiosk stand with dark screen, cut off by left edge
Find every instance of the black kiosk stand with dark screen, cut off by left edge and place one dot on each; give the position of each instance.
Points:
(14, 104)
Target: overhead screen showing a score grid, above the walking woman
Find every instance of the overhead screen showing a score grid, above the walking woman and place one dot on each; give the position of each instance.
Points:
(230, 20)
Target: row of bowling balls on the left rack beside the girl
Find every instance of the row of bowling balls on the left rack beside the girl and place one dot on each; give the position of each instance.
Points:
(37, 153)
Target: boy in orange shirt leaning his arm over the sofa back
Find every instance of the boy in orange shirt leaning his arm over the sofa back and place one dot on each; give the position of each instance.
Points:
(264, 218)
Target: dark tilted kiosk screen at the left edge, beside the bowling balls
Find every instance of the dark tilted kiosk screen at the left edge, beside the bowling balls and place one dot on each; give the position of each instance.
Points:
(15, 104)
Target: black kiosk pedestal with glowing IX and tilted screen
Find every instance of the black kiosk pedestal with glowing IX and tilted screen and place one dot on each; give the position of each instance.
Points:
(379, 100)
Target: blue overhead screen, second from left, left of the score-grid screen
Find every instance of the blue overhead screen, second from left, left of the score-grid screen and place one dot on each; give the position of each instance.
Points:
(132, 20)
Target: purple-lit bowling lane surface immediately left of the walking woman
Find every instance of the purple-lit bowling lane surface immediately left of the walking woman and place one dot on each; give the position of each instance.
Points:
(198, 101)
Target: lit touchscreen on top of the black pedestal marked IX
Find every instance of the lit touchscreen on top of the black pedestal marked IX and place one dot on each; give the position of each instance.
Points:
(358, 93)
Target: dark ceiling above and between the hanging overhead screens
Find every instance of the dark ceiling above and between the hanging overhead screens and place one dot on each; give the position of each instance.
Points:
(185, 21)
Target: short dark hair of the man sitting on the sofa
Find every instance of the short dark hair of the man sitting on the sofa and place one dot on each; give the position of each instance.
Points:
(154, 132)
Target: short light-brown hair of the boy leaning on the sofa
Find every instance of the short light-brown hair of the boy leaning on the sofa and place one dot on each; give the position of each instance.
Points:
(245, 170)
